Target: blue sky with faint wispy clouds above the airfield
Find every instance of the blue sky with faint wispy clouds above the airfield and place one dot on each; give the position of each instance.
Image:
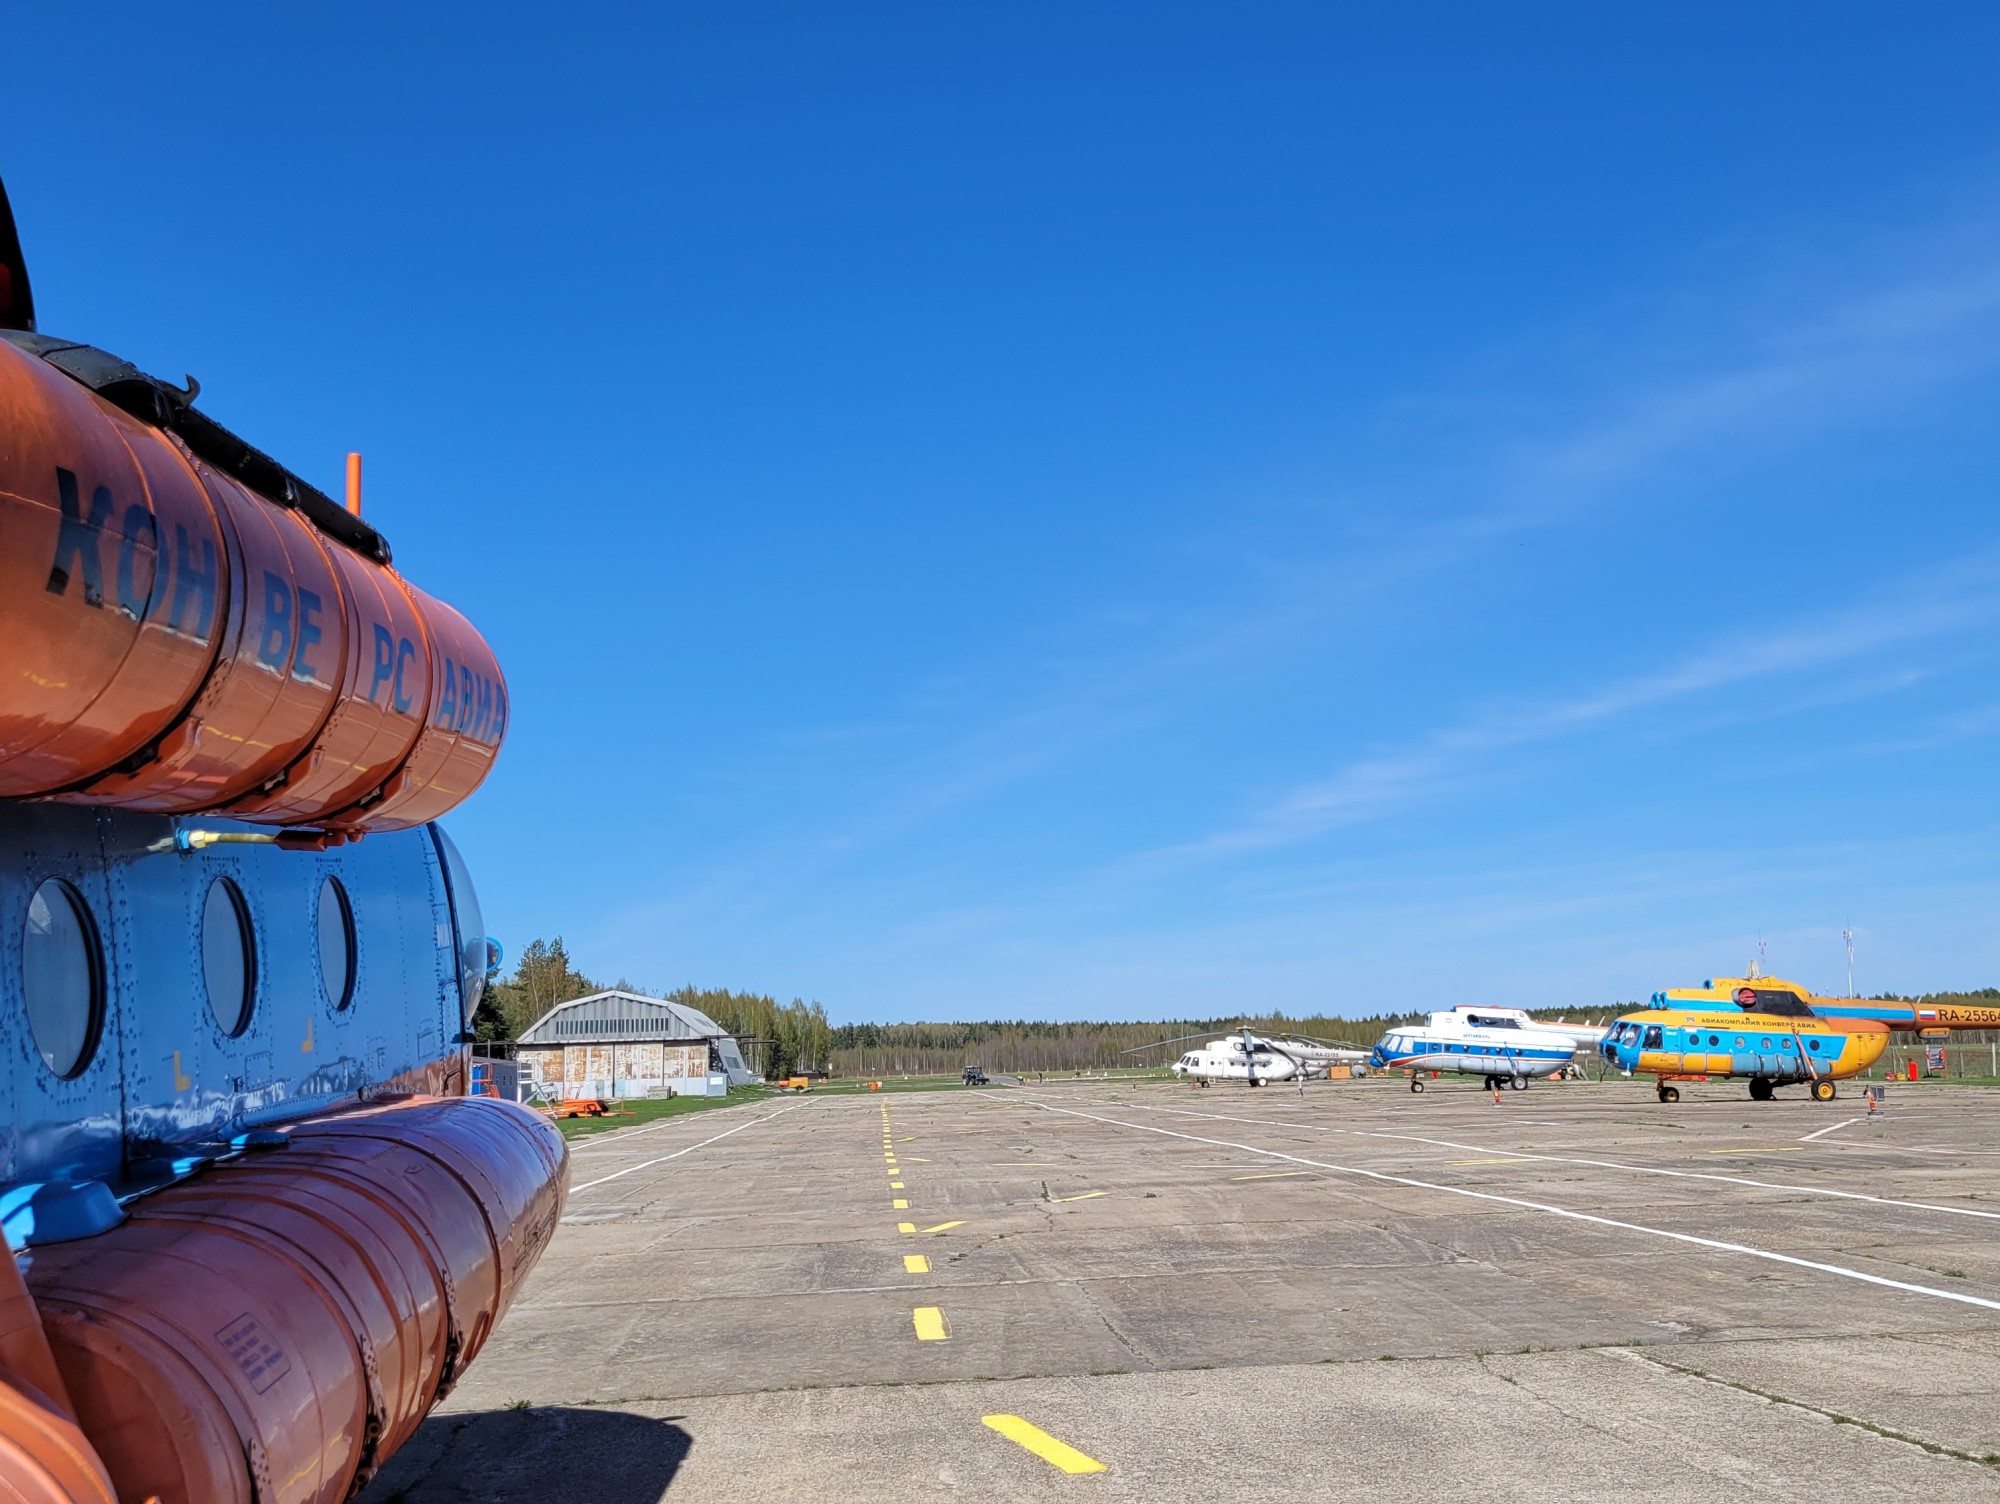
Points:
(1127, 511)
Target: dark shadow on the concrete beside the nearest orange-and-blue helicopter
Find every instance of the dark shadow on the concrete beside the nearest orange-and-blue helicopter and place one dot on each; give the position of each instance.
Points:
(545, 1455)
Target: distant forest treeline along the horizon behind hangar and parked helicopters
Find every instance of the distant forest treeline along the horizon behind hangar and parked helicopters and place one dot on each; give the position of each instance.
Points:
(781, 1039)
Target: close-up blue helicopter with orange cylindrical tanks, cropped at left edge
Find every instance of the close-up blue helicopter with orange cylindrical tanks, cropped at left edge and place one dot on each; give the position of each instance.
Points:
(255, 1227)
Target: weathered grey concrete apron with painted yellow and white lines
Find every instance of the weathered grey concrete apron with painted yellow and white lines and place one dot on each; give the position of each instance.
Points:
(737, 1323)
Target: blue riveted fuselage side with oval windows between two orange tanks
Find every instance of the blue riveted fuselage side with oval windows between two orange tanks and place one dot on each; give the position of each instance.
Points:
(159, 1001)
